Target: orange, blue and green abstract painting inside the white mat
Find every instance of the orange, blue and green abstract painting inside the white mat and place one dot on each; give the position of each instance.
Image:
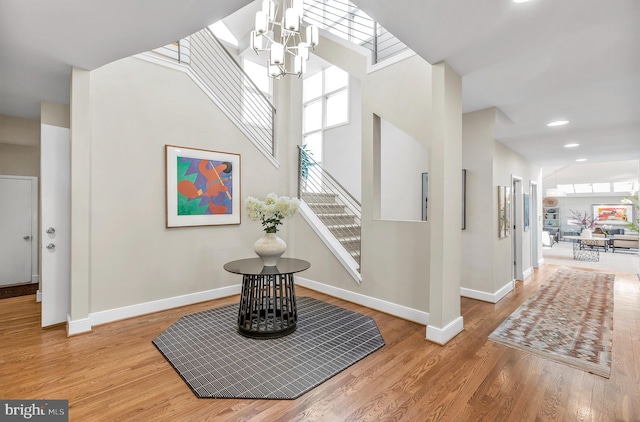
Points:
(204, 186)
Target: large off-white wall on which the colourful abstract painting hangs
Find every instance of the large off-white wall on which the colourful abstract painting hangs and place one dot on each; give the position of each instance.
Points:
(138, 108)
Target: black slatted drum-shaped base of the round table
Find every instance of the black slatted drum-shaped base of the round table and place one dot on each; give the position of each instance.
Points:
(267, 306)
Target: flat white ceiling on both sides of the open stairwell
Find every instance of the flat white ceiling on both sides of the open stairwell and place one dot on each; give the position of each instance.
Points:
(539, 61)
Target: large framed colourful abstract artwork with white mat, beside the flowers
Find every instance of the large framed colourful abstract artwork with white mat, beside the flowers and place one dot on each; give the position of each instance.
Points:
(202, 187)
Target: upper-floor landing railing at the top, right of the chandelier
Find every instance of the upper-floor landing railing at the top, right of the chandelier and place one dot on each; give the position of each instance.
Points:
(345, 20)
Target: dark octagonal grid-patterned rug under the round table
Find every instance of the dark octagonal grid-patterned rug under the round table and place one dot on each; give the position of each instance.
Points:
(217, 362)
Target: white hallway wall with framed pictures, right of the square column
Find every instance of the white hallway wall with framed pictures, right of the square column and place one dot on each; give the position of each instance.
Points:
(487, 258)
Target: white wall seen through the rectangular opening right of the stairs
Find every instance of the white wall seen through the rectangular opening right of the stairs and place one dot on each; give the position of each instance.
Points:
(405, 159)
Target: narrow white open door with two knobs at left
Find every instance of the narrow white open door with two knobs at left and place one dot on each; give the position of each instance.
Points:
(55, 193)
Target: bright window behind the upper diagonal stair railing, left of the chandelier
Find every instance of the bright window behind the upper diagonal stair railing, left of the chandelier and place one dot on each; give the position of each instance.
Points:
(254, 111)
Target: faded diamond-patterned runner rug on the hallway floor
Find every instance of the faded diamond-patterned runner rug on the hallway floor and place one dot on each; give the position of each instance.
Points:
(569, 320)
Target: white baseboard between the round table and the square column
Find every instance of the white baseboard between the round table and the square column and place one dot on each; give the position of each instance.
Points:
(400, 311)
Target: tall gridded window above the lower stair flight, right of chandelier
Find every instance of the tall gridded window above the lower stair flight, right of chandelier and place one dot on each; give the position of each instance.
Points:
(325, 105)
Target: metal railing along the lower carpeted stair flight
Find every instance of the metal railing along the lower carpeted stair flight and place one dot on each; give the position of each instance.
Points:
(315, 182)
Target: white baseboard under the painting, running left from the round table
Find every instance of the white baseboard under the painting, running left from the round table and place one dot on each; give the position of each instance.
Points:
(111, 315)
